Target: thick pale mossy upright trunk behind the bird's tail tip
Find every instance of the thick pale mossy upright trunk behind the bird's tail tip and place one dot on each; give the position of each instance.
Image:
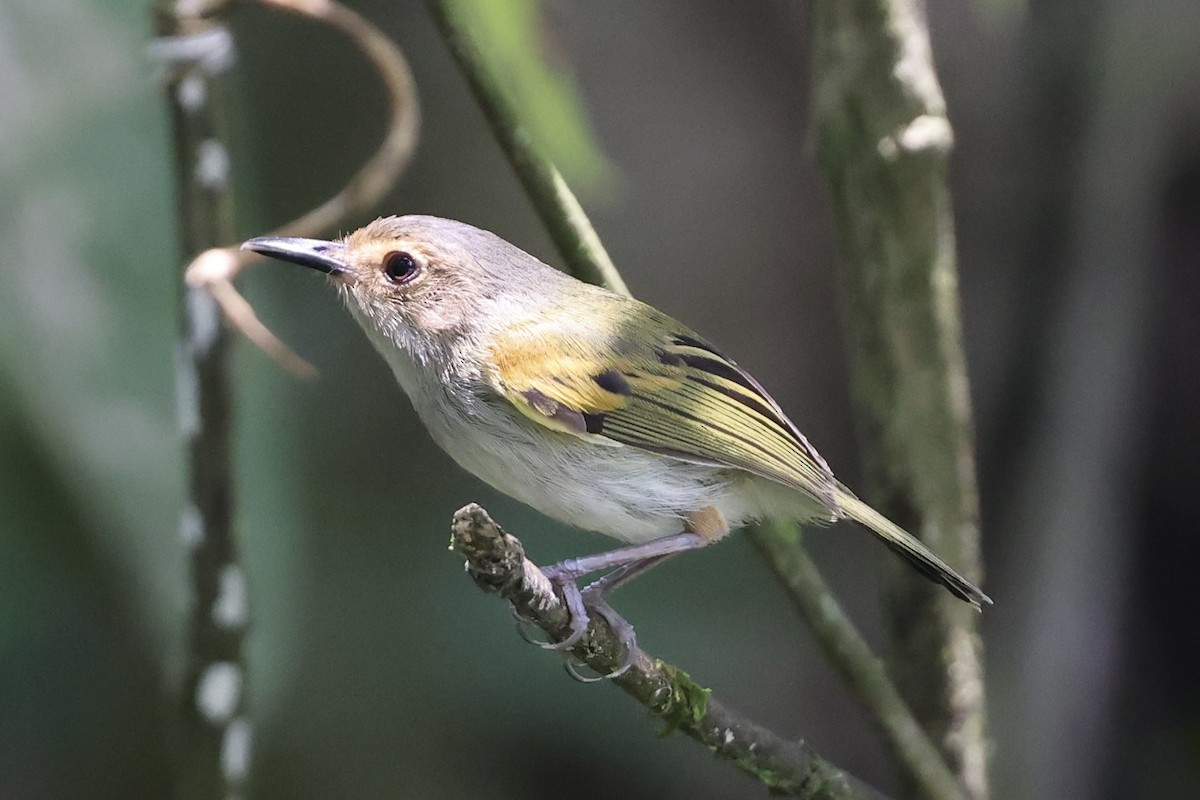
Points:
(884, 141)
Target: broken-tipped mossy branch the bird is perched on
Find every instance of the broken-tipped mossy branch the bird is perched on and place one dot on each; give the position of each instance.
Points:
(497, 563)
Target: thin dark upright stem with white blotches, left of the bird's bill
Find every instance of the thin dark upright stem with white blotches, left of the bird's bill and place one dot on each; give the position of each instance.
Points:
(214, 733)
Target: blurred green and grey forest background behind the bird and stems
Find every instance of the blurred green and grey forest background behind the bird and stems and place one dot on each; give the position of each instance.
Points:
(377, 670)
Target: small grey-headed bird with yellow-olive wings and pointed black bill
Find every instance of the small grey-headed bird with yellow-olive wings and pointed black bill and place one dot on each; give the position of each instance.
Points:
(593, 408)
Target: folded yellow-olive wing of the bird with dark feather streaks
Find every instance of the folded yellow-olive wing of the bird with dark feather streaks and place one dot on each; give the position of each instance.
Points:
(670, 394)
